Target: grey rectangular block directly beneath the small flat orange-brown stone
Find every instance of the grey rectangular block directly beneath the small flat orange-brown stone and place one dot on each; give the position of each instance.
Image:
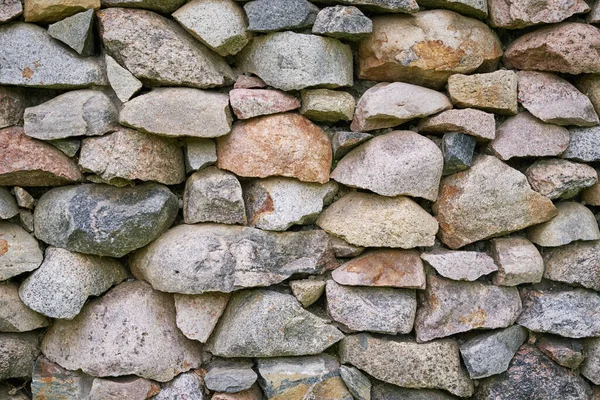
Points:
(380, 310)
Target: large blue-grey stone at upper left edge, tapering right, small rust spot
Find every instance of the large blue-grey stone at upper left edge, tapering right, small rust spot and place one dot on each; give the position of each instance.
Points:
(31, 57)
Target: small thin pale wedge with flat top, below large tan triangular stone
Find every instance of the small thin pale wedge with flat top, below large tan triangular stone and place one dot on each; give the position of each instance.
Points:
(460, 265)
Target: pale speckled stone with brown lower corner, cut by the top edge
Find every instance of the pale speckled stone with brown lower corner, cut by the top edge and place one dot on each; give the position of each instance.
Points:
(219, 24)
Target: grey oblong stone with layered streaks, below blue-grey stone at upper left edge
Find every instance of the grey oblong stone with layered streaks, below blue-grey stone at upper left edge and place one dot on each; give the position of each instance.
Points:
(75, 113)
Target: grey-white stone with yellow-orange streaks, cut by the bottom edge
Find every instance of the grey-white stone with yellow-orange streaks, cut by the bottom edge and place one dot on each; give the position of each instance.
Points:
(314, 377)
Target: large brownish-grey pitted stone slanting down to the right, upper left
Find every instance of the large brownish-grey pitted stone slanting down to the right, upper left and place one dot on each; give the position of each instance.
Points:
(176, 59)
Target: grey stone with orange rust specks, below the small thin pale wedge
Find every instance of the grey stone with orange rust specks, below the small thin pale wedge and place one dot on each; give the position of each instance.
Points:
(447, 307)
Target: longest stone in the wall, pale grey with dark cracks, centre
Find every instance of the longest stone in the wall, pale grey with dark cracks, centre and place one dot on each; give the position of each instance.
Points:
(193, 259)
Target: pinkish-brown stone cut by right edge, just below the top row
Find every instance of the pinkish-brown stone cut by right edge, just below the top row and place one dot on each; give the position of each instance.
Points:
(568, 47)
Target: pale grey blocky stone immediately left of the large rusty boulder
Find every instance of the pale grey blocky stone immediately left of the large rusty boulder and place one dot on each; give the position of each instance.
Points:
(293, 61)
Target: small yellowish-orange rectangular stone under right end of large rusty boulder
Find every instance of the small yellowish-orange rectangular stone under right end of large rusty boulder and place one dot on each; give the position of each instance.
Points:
(494, 92)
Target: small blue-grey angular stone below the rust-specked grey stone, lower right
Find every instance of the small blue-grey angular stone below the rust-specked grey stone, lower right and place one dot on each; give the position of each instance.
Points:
(490, 353)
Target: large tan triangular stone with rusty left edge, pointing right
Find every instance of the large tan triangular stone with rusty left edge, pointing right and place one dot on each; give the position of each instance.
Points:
(511, 204)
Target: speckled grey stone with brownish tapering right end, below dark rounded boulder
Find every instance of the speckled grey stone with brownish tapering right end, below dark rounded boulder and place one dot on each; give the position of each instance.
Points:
(64, 281)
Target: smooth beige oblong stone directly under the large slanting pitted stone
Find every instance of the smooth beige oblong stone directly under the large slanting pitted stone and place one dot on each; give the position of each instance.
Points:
(179, 112)
